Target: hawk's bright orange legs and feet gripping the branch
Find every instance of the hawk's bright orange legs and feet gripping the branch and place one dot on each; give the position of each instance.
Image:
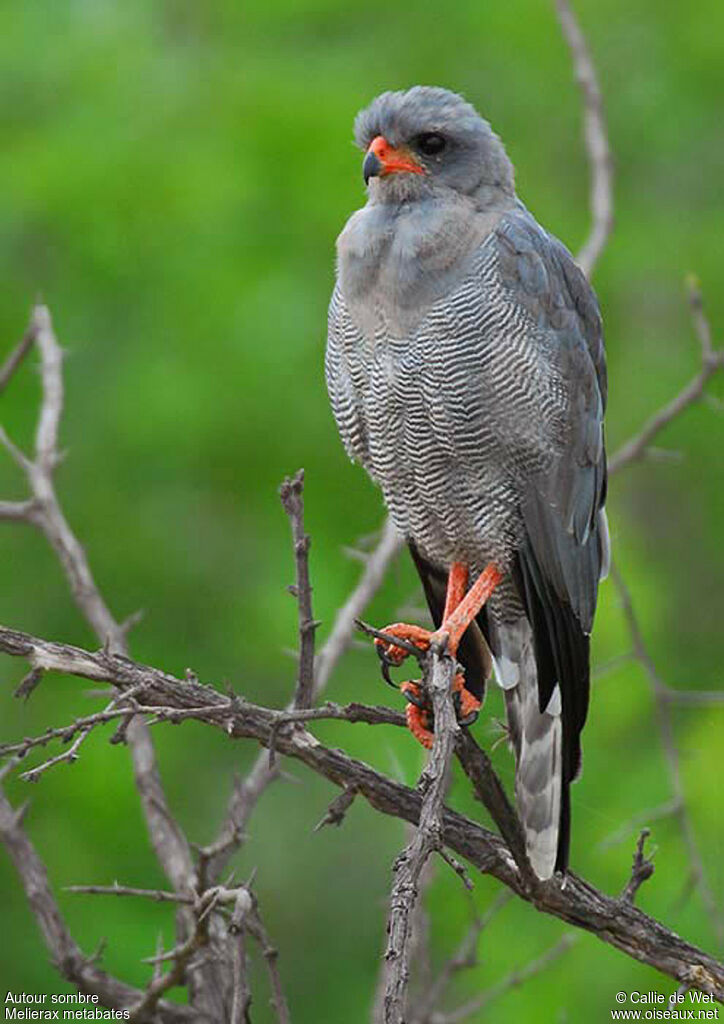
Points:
(460, 610)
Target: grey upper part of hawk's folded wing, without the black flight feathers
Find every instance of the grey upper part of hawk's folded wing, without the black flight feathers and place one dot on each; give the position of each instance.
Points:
(563, 509)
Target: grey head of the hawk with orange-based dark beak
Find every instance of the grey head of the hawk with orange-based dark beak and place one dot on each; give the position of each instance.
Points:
(428, 141)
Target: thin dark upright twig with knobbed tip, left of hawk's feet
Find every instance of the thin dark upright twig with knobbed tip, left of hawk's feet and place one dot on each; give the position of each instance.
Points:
(291, 493)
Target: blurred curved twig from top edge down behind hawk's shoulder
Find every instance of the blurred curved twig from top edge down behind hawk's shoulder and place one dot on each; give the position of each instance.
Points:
(598, 149)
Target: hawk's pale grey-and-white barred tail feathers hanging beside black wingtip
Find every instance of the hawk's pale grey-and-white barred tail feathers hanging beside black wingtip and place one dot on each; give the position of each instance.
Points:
(537, 740)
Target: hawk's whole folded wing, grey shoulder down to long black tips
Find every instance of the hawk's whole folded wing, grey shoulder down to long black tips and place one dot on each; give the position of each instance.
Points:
(565, 550)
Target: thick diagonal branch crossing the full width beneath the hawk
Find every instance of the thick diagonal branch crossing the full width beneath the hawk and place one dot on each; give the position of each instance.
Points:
(578, 904)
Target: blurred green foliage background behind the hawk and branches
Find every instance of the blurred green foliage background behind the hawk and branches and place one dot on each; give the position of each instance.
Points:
(173, 178)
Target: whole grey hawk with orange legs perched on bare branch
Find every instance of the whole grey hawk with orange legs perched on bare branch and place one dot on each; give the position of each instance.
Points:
(466, 371)
